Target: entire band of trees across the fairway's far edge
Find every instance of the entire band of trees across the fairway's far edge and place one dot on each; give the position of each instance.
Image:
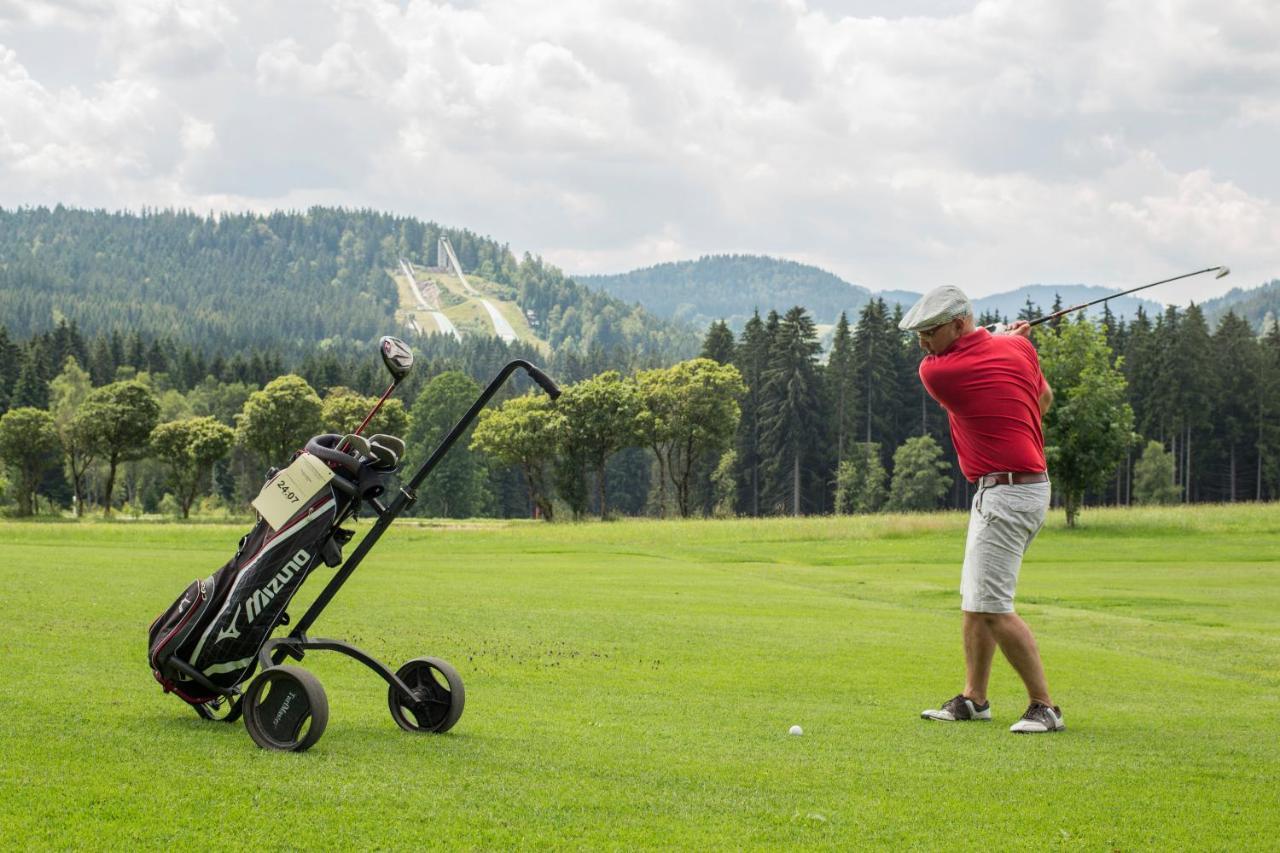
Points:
(1160, 409)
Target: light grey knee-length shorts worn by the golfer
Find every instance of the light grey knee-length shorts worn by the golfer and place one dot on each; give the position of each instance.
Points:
(1003, 523)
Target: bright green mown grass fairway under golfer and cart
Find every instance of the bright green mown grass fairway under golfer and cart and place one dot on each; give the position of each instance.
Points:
(632, 685)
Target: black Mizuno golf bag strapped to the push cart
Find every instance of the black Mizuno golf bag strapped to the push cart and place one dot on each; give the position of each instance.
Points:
(220, 624)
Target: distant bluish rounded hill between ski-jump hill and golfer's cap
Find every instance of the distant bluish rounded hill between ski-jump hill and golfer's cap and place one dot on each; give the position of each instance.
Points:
(732, 288)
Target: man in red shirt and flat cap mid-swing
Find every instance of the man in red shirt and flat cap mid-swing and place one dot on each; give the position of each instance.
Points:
(995, 396)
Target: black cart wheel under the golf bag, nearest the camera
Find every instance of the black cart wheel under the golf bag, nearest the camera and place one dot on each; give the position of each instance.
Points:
(286, 709)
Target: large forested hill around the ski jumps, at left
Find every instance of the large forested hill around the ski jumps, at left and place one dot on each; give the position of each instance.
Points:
(282, 282)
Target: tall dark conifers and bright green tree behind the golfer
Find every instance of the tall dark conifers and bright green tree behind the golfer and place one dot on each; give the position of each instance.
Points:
(1210, 399)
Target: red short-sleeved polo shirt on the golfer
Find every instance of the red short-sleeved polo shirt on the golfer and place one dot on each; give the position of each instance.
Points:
(990, 386)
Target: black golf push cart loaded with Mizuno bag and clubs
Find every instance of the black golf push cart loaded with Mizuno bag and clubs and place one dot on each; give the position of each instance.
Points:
(209, 642)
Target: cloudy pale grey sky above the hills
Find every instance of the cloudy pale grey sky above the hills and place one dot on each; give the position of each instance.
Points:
(897, 144)
